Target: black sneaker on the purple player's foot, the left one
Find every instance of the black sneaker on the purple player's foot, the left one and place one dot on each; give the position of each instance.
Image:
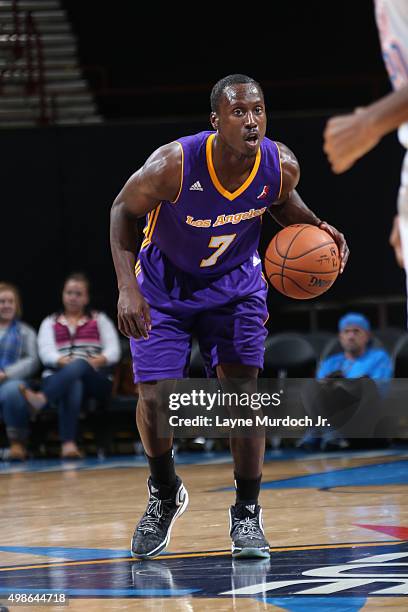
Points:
(152, 533)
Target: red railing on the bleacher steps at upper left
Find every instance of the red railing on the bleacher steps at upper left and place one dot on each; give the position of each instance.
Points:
(26, 61)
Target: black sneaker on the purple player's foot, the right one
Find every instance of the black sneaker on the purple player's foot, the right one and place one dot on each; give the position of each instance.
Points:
(246, 531)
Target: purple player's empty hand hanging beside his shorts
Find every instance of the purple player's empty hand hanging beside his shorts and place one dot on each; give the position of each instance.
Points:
(133, 314)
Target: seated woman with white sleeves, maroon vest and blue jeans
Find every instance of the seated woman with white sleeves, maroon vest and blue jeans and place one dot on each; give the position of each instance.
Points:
(77, 347)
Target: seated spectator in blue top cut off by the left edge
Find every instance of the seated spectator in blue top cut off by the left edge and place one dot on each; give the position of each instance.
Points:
(18, 362)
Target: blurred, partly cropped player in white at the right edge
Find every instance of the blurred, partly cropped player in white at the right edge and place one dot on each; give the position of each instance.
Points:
(349, 137)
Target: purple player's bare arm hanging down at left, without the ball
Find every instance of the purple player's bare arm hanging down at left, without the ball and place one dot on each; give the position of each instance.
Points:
(158, 179)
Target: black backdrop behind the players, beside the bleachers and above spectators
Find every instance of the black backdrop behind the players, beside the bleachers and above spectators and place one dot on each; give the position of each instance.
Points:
(152, 79)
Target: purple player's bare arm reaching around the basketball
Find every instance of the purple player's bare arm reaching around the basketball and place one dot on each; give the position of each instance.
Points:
(290, 208)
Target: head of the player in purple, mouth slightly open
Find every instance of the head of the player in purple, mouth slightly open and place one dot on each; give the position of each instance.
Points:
(238, 113)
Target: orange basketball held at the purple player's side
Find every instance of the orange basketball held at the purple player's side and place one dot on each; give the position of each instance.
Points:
(302, 261)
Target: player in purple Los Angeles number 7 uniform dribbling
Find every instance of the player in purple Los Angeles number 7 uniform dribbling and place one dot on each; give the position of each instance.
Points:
(198, 270)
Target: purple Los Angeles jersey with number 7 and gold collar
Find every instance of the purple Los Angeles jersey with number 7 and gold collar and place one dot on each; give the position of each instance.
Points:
(207, 230)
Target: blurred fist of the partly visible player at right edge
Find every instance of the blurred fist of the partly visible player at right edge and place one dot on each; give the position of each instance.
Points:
(347, 138)
